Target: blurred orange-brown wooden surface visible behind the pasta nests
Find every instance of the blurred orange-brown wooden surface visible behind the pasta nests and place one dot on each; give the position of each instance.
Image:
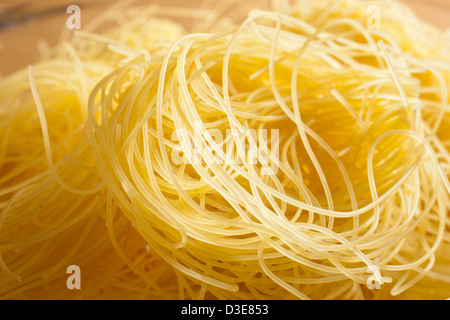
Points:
(18, 44)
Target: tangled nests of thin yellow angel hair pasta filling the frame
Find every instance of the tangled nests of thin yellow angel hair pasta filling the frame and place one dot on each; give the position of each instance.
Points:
(298, 154)
